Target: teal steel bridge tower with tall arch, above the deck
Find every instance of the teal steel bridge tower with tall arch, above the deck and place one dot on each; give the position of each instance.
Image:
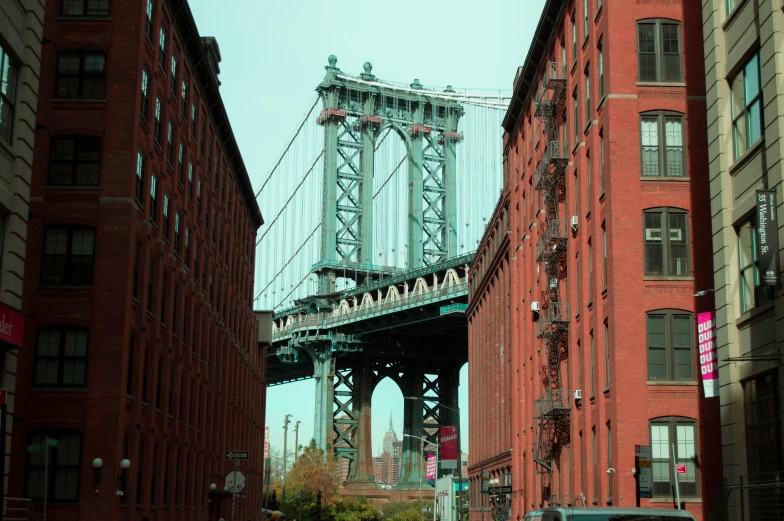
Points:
(356, 110)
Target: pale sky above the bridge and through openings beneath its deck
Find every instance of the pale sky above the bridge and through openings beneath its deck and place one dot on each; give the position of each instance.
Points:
(273, 56)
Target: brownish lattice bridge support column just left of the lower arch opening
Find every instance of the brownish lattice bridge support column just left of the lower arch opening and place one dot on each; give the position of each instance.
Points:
(363, 387)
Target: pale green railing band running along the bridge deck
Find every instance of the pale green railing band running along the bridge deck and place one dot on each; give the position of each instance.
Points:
(329, 320)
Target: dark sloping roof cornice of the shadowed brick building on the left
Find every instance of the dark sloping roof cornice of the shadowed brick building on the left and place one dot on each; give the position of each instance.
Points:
(208, 85)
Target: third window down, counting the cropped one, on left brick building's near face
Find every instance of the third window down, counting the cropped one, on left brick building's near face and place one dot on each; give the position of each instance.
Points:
(75, 161)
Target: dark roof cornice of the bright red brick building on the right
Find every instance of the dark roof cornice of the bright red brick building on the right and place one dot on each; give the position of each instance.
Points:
(537, 53)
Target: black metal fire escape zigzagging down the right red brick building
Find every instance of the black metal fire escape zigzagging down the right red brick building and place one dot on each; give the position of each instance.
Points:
(552, 408)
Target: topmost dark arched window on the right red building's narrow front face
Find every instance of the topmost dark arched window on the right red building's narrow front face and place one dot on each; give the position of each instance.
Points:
(659, 51)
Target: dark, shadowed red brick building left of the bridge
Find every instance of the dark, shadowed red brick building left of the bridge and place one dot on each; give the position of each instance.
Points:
(141, 343)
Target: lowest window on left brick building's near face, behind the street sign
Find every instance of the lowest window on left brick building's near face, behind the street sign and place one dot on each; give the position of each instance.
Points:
(63, 472)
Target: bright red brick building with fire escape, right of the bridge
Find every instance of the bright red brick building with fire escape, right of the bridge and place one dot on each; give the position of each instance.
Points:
(582, 319)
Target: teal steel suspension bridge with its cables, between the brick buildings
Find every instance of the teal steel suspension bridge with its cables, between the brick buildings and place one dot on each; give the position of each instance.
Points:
(375, 208)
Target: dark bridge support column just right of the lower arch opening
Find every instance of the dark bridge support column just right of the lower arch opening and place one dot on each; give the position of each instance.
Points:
(413, 424)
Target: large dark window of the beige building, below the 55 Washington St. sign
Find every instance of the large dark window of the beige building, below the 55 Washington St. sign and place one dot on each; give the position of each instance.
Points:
(763, 424)
